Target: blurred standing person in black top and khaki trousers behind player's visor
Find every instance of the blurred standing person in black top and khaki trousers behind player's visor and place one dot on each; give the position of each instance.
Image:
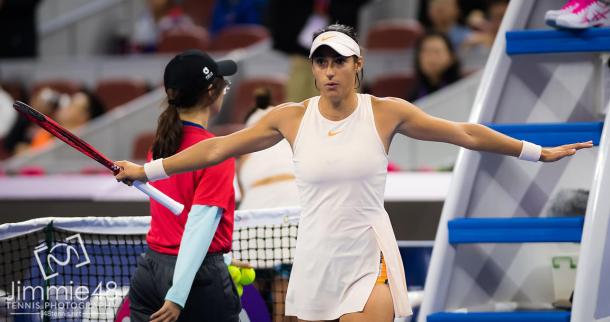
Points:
(292, 24)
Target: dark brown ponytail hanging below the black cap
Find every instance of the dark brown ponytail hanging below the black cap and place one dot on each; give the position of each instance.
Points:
(169, 134)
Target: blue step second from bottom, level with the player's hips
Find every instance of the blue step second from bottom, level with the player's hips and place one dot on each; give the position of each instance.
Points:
(515, 230)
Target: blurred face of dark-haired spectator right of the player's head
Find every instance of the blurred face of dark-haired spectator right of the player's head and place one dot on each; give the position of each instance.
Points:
(434, 57)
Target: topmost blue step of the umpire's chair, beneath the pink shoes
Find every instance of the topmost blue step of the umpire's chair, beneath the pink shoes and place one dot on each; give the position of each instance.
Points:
(557, 41)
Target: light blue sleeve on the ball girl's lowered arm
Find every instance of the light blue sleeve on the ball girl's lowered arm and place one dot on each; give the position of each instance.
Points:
(198, 233)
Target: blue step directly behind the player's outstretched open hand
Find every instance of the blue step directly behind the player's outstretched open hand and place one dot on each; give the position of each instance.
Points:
(553, 134)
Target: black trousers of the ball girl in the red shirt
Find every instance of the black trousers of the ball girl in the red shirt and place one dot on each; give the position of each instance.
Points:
(213, 296)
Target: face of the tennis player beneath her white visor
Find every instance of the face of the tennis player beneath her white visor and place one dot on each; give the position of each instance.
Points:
(335, 75)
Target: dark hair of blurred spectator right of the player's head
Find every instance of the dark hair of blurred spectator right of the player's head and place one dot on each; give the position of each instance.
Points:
(450, 75)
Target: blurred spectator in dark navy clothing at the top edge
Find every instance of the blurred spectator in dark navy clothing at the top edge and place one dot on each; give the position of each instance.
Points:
(235, 12)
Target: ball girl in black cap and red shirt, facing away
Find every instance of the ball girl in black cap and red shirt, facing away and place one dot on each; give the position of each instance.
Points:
(183, 275)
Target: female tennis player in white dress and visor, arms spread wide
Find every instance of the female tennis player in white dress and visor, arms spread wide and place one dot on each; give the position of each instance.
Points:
(340, 141)
